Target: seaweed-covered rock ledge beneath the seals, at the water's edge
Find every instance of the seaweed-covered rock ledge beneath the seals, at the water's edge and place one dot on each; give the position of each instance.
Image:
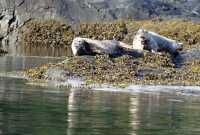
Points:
(126, 70)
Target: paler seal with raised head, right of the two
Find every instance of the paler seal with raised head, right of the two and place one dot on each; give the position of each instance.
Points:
(148, 40)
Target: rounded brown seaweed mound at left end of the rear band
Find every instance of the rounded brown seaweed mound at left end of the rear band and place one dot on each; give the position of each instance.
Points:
(50, 33)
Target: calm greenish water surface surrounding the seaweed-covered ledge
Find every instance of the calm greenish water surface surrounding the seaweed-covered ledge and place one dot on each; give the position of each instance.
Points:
(35, 110)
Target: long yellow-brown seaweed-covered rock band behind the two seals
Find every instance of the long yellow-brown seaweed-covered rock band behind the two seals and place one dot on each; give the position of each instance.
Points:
(58, 34)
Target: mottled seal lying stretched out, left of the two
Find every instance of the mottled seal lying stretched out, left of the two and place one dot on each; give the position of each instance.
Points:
(86, 46)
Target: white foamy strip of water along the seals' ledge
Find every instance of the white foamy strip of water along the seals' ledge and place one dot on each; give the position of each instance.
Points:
(75, 82)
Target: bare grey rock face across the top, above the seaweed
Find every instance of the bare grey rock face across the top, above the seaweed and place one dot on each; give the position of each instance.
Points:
(14, 13)
